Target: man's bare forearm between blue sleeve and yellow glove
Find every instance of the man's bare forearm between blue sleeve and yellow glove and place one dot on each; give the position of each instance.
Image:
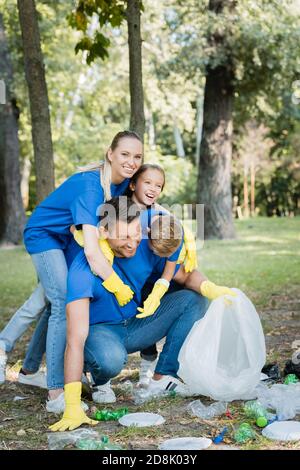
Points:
(77, 332)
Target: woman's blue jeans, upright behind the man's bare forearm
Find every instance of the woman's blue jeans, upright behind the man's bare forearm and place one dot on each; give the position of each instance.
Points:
(52, 271)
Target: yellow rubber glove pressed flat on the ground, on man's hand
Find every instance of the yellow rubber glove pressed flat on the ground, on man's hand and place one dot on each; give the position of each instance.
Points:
(74, 416)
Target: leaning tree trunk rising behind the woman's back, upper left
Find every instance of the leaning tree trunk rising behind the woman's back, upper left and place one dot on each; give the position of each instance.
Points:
(38, 96)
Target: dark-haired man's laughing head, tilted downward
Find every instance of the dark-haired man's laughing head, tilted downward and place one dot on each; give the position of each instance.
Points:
(120, 225)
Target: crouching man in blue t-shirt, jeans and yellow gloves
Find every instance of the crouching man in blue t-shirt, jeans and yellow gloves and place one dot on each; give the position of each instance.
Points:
(102, 334)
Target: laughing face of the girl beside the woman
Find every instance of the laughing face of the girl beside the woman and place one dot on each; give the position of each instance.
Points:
(148, 187)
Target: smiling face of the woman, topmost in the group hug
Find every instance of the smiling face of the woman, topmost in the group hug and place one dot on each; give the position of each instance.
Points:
(125, 159)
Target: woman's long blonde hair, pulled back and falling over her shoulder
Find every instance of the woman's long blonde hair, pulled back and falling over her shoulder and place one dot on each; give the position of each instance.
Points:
(105, 166)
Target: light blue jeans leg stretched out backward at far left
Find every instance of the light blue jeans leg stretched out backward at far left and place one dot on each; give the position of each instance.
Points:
(24, 316)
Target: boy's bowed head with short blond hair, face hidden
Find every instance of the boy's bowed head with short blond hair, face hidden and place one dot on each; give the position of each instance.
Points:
(165, 235)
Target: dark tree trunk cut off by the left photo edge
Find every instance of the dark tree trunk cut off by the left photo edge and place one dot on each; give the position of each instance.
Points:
(12, 215)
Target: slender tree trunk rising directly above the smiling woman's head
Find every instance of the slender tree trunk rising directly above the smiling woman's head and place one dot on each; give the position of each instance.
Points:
(137, 116)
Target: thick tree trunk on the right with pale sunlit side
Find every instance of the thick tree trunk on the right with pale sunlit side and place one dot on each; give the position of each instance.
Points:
(214, 180)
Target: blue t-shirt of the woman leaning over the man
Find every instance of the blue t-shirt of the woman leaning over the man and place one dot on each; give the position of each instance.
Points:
(76, 202)
